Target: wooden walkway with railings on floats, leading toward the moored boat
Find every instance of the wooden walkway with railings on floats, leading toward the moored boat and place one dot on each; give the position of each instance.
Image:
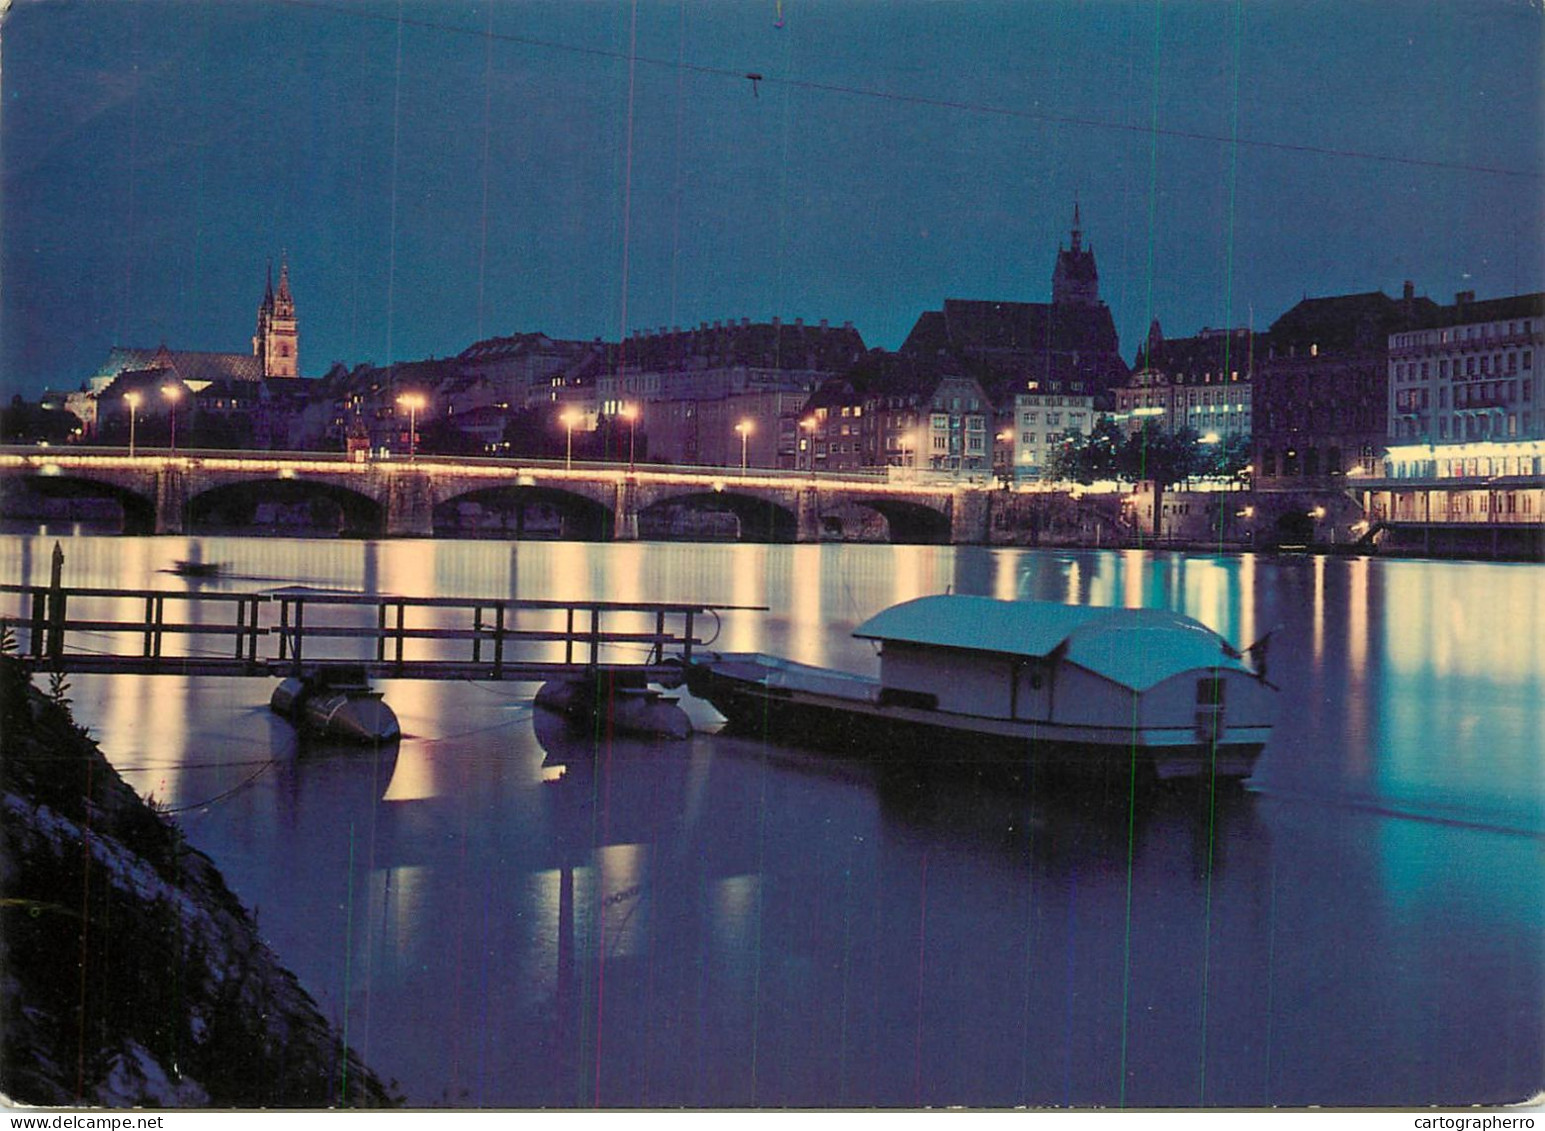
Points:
(290, 631)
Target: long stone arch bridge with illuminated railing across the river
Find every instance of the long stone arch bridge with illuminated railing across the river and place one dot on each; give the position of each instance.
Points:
(172, 494)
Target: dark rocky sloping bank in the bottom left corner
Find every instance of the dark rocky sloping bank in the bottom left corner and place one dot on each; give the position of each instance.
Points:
(132, 976)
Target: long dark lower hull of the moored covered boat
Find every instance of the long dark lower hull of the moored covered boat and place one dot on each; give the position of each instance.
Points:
(937, 741)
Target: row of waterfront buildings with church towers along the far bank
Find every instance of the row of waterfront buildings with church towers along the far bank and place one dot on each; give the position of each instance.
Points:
(979, 387)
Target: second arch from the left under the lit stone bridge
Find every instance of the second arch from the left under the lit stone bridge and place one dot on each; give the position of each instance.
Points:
(290, 504)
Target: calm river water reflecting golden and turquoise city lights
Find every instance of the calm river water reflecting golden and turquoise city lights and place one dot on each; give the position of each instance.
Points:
(514, 912)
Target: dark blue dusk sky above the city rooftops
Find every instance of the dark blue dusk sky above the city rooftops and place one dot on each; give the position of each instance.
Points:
(441, 172)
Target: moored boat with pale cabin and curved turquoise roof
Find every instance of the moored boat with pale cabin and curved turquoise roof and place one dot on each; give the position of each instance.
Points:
(969, 679)
